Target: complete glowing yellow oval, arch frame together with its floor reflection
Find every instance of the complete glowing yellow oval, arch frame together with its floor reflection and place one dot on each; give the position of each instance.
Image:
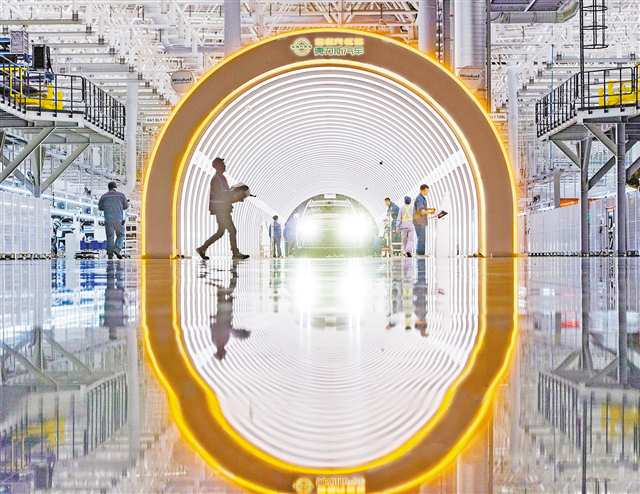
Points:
(193, 405)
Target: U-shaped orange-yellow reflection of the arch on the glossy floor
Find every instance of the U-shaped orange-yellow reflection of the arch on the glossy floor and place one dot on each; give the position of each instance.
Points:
(463, 407)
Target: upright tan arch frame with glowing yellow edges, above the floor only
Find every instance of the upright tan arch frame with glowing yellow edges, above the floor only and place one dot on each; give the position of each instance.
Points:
(384, 56)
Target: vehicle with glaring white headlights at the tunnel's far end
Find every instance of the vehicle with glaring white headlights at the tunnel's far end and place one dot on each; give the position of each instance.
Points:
(332, 224)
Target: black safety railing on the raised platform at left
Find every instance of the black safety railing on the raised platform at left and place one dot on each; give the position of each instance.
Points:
(46, 92)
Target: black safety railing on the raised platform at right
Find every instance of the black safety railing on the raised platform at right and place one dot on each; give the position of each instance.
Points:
(600, 90)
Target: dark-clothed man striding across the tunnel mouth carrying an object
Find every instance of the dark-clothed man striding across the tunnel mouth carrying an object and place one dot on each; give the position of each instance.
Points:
(221, 199)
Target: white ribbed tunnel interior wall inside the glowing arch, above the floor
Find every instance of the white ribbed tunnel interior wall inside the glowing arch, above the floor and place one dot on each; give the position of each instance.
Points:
(330, 130)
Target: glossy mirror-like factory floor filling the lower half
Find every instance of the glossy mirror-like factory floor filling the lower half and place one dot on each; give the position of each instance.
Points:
(320, 375)
